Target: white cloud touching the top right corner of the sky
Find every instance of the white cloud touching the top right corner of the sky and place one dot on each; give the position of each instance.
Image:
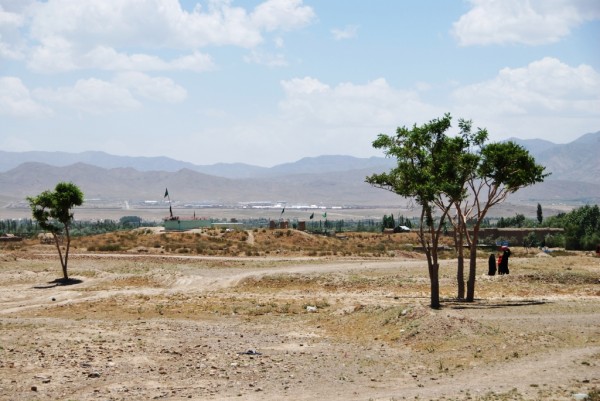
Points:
(531, 22)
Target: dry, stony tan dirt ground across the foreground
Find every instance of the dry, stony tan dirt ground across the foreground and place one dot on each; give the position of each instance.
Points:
(174, 327)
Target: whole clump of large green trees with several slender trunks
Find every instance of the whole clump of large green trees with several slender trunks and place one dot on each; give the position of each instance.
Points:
(464, 172)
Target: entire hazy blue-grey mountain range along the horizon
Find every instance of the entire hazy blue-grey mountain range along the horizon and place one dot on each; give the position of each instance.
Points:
(329, 179)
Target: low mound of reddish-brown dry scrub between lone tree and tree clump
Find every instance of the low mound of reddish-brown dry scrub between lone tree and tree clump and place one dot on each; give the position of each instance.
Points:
(258, 242)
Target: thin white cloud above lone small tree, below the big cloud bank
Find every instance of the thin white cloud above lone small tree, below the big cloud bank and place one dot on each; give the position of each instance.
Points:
(92, 96)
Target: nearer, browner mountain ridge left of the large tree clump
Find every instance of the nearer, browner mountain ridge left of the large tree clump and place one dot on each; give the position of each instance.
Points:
(190, 186)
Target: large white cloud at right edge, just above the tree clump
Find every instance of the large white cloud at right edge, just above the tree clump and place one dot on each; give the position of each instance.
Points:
(545, 96)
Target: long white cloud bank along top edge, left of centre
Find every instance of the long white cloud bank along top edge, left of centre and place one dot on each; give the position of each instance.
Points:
(163, 23)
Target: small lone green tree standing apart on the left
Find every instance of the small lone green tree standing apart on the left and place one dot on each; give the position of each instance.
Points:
(52, 210)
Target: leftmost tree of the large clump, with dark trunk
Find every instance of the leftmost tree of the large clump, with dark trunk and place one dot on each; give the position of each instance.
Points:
(429, 170)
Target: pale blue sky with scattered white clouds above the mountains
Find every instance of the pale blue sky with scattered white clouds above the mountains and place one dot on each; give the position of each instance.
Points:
(266, 82)
